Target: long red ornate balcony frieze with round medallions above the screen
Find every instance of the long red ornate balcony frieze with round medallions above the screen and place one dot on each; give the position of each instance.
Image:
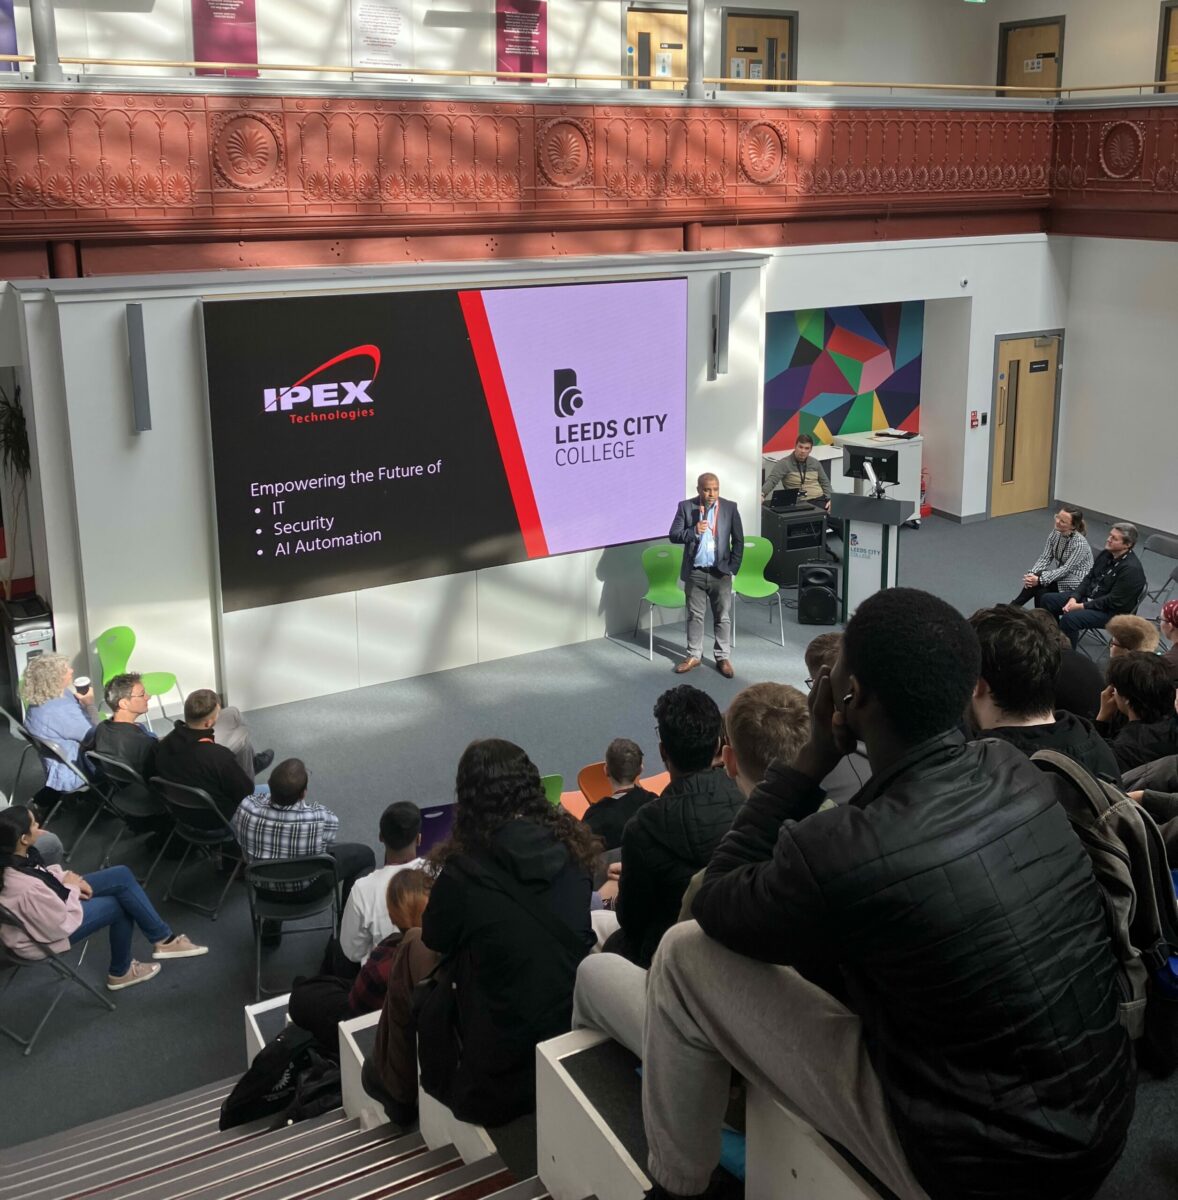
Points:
(87, 165)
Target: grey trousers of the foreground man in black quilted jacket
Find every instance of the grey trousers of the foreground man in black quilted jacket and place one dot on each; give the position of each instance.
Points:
(710, 1011)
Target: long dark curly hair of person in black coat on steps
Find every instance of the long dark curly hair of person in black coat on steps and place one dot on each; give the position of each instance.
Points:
(498, 783)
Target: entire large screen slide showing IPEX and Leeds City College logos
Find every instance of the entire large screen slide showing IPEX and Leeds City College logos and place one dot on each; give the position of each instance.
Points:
(368, 440)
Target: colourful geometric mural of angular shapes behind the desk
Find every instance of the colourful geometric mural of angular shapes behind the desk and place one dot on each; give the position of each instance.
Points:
(832, 371)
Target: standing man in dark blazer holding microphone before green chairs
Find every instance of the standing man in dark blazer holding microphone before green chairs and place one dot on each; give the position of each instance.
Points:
(714, 543)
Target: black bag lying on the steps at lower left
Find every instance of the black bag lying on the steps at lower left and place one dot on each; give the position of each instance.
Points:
(290, 1076)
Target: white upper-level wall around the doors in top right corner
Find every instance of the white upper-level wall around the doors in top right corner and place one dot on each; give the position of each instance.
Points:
(1105, 41)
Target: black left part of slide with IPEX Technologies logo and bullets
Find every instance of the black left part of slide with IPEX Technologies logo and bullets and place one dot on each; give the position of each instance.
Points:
(352, 447)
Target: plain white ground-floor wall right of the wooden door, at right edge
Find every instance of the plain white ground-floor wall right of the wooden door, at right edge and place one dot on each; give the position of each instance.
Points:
(1117, 445)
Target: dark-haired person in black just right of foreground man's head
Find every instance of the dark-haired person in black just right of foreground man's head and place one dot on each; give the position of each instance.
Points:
(1013, 699)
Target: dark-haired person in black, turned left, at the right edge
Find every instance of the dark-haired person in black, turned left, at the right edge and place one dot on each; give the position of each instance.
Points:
(1138, 710)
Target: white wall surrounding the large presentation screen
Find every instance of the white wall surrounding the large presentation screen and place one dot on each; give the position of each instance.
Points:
(124, 521)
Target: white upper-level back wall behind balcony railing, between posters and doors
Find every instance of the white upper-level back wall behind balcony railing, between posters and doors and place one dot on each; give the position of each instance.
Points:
(907, 41)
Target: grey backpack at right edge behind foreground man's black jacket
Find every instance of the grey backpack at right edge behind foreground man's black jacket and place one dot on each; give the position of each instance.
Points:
(1128, 856)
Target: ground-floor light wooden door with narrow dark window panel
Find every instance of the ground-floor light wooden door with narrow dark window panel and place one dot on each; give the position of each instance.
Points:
(1025, 423)
